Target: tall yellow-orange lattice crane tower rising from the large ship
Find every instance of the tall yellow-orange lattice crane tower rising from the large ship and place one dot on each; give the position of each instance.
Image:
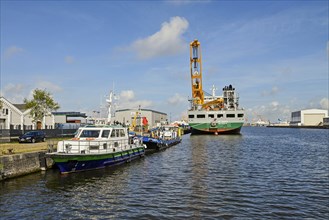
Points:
(196, 73)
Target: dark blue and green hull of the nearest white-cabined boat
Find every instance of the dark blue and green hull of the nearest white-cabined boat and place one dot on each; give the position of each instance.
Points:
(68, 163)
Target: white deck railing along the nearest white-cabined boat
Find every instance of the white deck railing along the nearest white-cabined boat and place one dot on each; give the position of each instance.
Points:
(96, 146)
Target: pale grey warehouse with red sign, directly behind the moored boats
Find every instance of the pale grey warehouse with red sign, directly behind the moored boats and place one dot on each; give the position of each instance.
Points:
(127, 116)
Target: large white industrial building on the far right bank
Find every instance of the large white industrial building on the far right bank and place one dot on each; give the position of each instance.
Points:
(308, 117)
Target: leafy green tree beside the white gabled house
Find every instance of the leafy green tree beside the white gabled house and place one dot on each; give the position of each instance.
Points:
(41, 105)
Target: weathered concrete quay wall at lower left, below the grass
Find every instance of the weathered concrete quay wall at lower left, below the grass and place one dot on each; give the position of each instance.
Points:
(21, 164)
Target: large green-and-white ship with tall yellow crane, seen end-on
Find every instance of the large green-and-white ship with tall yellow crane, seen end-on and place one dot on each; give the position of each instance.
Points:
(211, 113)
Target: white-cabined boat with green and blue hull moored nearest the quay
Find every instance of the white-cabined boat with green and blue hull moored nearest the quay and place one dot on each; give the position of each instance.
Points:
(96, 146)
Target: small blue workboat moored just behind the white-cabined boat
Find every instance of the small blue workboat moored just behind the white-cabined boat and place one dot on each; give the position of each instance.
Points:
(163, 137)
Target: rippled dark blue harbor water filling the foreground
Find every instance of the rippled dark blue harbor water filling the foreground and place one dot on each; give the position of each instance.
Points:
(264, 173)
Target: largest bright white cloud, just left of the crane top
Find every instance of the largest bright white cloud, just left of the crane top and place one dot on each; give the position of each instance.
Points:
(167, 41)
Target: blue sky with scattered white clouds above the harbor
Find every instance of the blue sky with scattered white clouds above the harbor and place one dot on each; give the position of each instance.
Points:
(275, 53)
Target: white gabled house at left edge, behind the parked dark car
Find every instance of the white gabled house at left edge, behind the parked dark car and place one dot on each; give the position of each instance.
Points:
(15, 116)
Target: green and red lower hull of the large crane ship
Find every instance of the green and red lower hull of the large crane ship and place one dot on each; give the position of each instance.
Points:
(230, 127)
